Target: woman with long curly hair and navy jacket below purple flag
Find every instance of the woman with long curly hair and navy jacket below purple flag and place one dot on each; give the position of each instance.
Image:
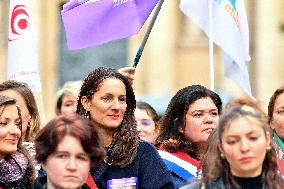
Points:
(107, 98)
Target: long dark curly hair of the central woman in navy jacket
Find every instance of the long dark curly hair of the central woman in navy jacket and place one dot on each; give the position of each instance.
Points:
(123, 148)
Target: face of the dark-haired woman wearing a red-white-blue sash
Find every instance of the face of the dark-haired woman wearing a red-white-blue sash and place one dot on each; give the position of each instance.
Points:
(201, 119)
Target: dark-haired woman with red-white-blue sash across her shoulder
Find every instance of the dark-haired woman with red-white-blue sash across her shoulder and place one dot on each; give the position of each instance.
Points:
(191, 116)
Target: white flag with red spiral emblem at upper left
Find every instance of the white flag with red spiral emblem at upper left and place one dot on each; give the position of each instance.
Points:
(22, 46)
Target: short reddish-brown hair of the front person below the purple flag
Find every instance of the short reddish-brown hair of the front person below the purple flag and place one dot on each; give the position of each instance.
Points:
(79, 127)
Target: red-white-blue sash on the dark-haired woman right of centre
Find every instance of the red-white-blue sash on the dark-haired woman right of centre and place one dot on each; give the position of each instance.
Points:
(181, 164)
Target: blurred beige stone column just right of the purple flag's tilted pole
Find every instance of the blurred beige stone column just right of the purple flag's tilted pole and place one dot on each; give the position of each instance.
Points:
(155, 74)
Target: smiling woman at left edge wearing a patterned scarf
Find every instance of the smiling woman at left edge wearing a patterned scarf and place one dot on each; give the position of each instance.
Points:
(16, 168)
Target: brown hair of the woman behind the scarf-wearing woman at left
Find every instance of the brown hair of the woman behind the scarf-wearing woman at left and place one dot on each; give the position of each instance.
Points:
(24, 90)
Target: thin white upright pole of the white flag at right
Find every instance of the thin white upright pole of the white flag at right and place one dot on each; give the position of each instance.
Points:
(211, 47)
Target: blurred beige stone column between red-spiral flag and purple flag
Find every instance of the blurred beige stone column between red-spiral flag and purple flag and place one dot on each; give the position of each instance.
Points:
(48, 16)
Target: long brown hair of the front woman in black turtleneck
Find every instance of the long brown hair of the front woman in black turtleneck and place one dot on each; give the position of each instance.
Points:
(214, 166)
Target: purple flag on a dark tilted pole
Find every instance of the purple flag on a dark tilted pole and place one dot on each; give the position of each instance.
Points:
(92, 22)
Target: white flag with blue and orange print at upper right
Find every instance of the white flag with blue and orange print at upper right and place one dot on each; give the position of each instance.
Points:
(230, 32)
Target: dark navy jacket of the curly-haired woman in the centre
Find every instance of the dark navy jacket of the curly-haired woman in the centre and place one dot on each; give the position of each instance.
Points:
(147, 166)
